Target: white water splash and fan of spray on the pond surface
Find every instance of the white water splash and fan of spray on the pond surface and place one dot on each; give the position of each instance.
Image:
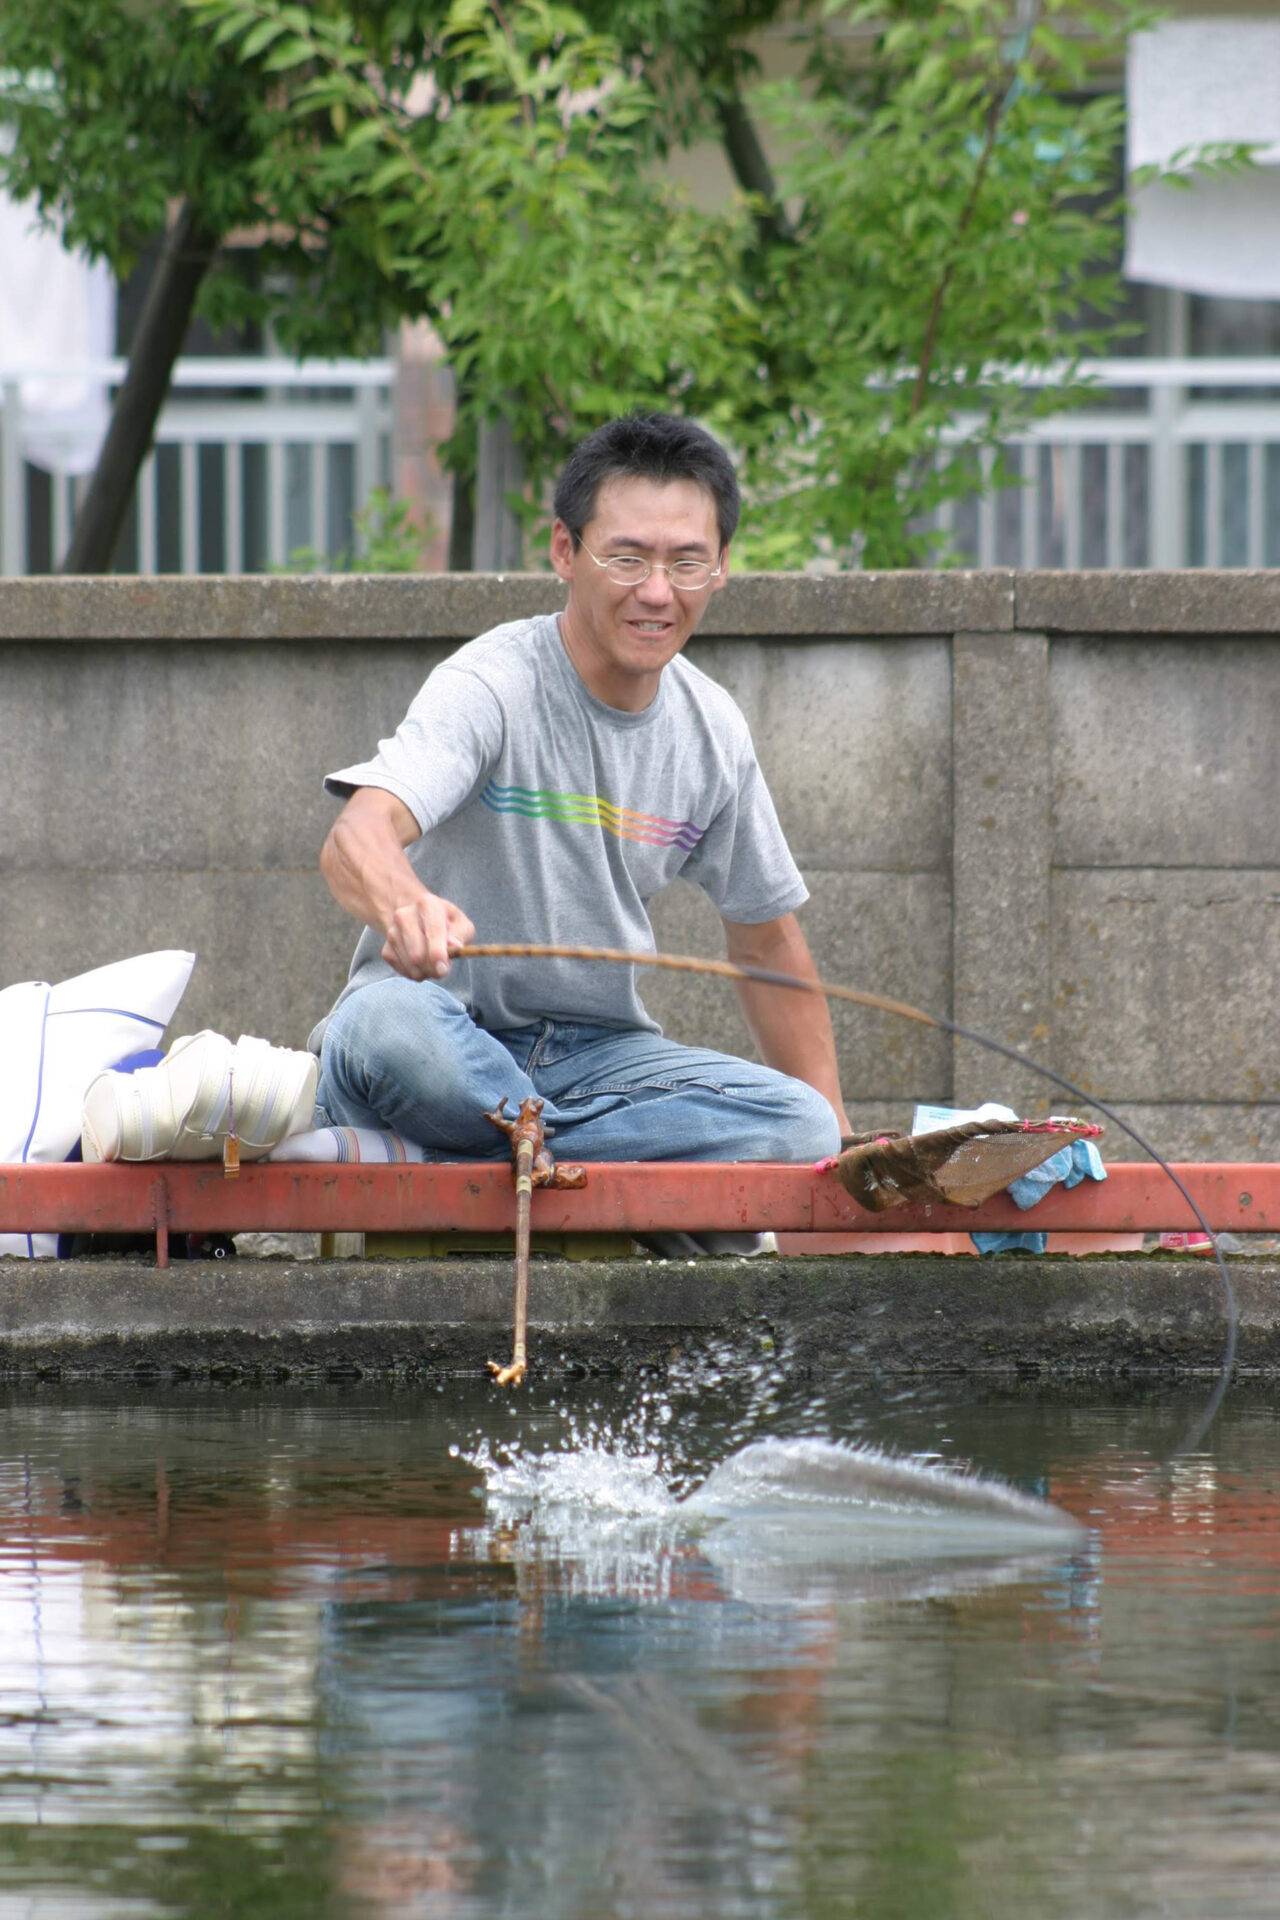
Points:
(780, 1520)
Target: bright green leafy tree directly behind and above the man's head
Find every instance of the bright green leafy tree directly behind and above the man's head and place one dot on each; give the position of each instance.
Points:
(945, 216)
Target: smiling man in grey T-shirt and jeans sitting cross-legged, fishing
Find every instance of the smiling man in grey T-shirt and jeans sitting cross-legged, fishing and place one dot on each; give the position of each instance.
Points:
(548, 780)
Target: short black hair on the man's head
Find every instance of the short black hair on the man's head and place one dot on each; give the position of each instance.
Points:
(648, 446)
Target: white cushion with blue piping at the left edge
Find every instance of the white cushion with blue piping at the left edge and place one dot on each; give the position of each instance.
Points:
(57, 1040)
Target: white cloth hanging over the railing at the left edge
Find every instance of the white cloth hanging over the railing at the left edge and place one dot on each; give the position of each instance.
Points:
(57, 308)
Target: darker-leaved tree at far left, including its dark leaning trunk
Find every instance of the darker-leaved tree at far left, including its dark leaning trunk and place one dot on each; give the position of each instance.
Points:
(130, 128)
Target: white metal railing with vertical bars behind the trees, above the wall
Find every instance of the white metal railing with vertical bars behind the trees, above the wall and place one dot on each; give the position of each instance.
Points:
(1175, 466)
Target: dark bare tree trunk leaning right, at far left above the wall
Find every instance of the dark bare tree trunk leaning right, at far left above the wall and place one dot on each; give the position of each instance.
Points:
(162, 329)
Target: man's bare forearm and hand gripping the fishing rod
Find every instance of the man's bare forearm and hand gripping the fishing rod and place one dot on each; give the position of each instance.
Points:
(367, 871)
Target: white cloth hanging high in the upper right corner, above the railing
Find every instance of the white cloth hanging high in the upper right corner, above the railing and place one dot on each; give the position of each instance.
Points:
(1191, 84)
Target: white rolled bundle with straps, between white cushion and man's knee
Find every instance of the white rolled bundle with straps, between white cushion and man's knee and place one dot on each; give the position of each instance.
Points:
(202, 1092)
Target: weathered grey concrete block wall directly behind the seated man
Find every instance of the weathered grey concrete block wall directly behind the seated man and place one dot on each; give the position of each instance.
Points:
(1047, 805)
